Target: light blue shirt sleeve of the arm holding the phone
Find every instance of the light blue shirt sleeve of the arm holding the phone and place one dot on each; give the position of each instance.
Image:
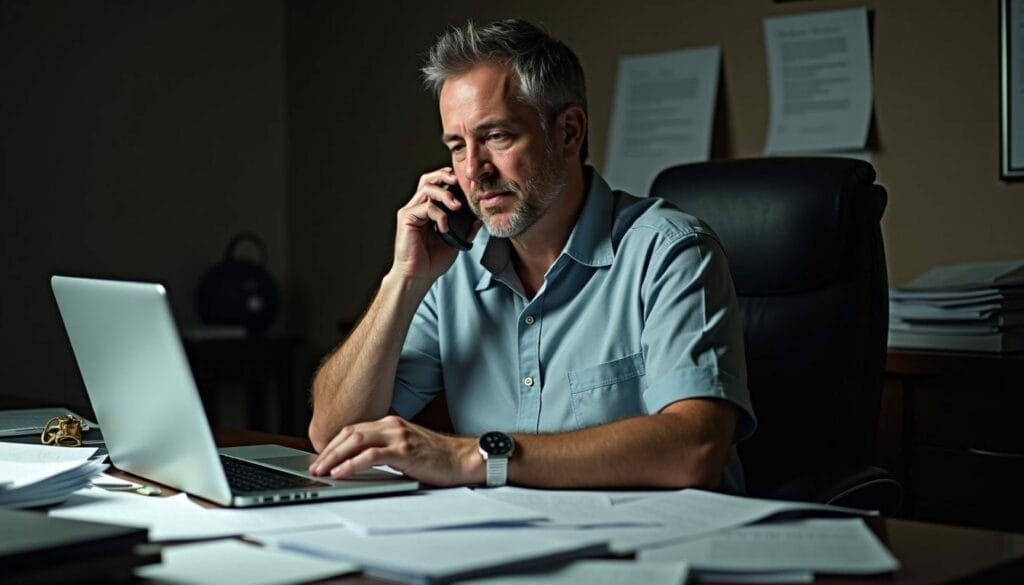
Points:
(419, 377)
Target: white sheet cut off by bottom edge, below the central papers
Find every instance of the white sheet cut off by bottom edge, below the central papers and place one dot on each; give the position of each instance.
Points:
(596, 573)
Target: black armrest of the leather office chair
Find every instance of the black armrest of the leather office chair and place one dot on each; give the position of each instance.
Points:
(863, 487)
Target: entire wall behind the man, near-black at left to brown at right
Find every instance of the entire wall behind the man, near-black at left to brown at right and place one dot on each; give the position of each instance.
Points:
(137, 138)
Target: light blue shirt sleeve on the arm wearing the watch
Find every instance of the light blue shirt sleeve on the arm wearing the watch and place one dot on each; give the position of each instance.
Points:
(693, 338)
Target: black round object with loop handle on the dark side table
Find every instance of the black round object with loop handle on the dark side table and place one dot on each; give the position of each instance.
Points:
(237, 291)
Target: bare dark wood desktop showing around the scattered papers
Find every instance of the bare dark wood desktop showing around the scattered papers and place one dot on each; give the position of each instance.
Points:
(928, 553)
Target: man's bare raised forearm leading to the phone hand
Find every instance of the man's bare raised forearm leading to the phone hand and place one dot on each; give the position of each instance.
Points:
(356, 383)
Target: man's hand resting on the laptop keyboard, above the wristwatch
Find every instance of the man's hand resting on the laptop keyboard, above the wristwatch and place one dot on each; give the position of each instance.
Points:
(421, 454)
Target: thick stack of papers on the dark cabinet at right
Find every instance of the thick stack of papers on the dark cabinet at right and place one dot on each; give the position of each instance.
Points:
(961, 308)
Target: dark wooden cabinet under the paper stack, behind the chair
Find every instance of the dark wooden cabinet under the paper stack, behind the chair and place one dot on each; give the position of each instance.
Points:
(950, 431)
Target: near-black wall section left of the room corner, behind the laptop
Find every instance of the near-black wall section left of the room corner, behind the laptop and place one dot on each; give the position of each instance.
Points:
(136, 139)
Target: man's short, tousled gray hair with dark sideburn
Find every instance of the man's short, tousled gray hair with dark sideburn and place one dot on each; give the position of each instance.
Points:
(549, 73)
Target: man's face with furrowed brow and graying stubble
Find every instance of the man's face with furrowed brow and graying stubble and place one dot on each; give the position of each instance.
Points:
(500, 150)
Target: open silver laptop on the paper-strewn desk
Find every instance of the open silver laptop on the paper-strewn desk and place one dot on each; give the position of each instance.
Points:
(145, 398)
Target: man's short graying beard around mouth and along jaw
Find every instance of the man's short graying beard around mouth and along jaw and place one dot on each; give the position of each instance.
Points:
(532, 202)
